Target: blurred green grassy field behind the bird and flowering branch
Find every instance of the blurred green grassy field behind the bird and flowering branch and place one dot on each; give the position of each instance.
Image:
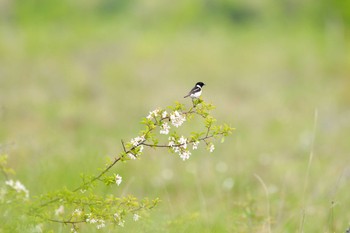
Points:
(76, 77)
